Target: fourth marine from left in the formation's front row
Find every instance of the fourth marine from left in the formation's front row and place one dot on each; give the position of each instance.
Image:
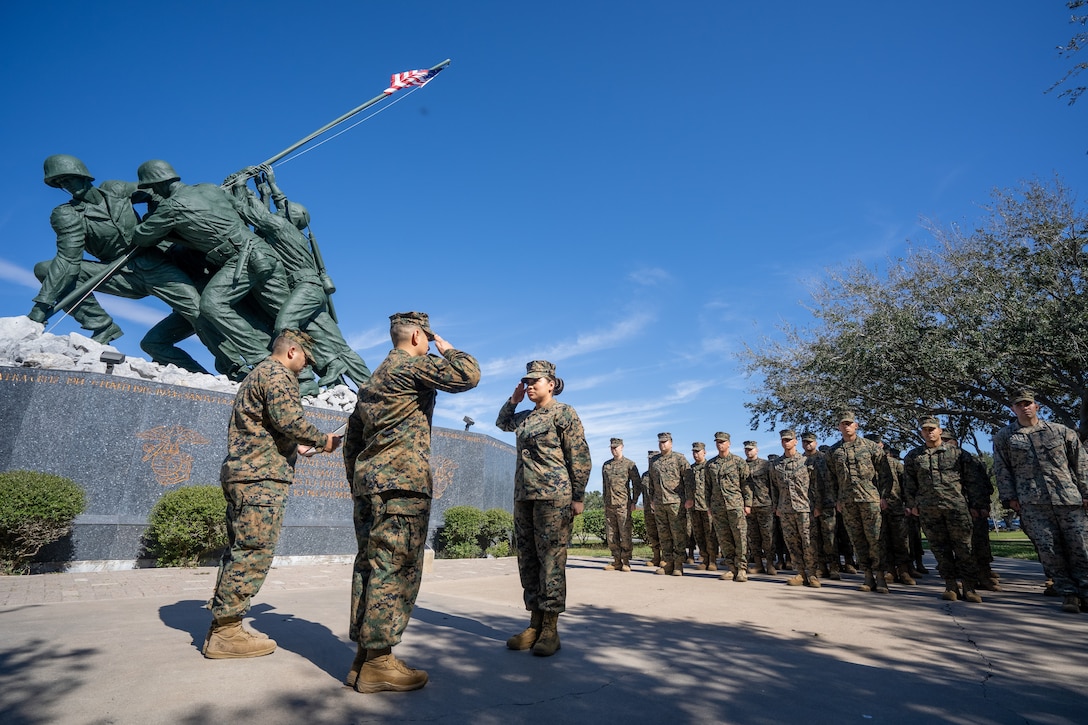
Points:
(794, 493)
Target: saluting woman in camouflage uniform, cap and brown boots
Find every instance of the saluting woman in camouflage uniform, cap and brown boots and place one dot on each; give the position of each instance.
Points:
(550, 483)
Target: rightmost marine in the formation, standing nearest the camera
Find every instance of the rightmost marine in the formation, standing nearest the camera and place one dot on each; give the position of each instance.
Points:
(1043, 474)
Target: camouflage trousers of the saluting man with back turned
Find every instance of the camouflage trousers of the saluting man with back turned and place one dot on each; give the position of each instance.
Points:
(391, 531)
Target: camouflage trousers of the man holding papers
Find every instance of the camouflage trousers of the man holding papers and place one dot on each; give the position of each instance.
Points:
(254, 519)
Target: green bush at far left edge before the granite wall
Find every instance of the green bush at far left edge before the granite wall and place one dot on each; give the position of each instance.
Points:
(35, 510)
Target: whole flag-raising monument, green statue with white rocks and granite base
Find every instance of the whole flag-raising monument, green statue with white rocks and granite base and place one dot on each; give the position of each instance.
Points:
(237, 263)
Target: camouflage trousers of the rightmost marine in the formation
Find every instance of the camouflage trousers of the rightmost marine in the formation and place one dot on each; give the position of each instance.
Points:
(1060, 535)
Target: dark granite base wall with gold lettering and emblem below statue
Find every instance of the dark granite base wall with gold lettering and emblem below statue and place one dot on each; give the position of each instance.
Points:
(128, 441)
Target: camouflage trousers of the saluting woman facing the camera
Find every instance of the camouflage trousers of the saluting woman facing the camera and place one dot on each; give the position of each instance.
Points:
(542, 530)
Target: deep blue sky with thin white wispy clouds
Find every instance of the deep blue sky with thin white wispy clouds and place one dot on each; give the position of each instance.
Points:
(634, 191)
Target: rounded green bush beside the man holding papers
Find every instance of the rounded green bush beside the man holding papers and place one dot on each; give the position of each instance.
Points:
(188, 526)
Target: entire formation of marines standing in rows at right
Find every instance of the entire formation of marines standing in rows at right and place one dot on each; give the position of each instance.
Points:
(857, 508)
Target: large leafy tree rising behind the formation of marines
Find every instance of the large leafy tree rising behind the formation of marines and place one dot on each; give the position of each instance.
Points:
(951, 329)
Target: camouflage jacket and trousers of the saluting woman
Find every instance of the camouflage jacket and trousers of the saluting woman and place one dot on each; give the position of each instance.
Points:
(552, 472)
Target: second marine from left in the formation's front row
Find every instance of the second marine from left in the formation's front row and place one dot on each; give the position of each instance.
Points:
(670, 476)
